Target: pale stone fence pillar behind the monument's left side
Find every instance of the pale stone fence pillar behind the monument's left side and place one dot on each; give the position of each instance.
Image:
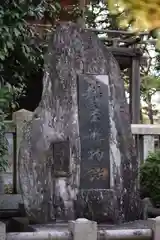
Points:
(20, 118)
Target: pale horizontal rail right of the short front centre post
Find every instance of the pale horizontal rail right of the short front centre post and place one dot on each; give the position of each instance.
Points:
(127, 234)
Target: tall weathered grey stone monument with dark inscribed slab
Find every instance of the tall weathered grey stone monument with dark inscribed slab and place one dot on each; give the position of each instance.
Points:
(77, 157)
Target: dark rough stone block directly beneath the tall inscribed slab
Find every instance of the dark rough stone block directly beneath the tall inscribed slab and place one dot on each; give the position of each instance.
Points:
(99, 205)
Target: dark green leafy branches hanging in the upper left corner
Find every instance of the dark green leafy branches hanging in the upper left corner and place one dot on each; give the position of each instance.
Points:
(21, 51)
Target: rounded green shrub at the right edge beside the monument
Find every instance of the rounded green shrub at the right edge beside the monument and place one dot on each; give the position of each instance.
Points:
(150, 177)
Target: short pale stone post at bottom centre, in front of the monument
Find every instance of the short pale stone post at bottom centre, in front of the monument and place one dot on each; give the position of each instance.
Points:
(83, 229)
